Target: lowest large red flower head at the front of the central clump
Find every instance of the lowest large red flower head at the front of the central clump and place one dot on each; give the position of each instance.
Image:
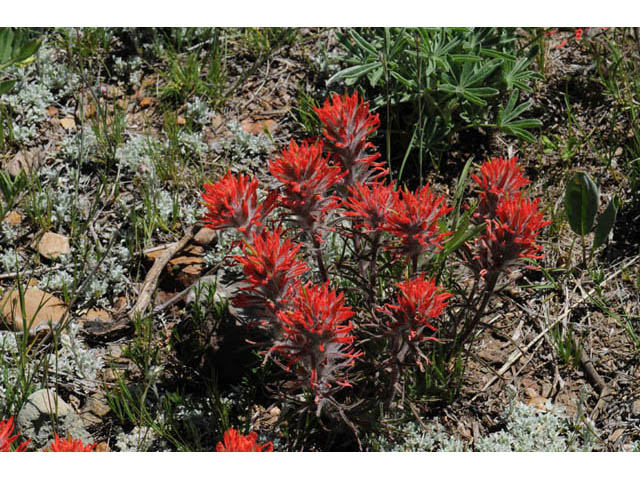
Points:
(316, 336)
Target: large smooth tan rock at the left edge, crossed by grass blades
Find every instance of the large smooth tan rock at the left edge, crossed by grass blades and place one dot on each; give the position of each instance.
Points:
(41, 308)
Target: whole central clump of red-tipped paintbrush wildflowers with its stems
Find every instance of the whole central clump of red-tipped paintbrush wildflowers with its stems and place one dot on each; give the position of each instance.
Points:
(392, 242)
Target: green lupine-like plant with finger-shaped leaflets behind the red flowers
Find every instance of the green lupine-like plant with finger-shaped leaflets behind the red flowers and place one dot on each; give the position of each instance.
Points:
(433, 83)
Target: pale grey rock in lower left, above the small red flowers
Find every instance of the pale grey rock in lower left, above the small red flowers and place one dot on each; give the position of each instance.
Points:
(35, 419)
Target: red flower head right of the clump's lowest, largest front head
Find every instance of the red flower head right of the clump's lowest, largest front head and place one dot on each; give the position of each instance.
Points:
(418, 302)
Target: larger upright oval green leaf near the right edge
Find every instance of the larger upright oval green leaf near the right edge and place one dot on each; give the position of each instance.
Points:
(581, 203)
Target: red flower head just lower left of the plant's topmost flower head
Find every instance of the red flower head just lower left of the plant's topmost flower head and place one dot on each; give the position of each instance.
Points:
(306, 177)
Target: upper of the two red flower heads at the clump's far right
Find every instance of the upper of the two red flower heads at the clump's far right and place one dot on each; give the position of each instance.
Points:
(498, 178)
